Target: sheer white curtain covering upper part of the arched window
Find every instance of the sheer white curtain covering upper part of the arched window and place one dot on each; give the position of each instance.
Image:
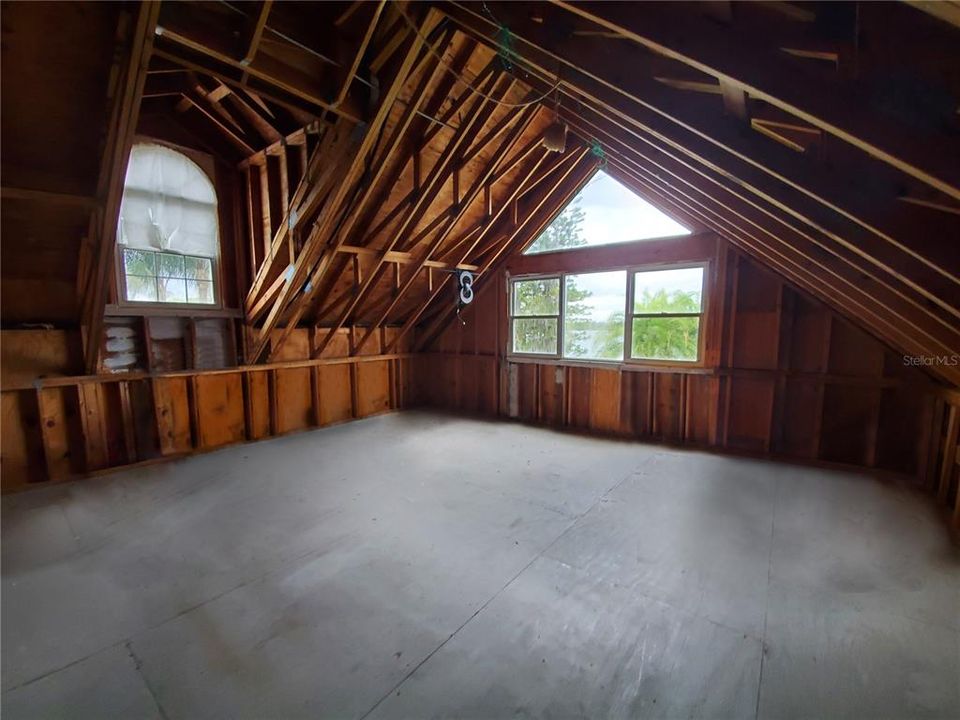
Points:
(168, 204)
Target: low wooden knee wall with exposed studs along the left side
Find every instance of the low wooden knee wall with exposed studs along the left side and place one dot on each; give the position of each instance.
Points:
(64, 427)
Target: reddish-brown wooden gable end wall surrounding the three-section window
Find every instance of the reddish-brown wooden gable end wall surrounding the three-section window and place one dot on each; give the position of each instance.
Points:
(781, 374)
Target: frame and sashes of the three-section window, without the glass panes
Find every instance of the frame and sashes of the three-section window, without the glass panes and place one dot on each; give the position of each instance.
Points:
(628, 322)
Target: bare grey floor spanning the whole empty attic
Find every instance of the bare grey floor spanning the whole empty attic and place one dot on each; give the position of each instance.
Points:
(420, 566)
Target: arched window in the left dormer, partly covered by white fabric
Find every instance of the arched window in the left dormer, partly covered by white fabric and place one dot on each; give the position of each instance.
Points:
(167, 237)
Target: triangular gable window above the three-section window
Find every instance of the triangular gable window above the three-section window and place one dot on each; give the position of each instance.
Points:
(605, 212)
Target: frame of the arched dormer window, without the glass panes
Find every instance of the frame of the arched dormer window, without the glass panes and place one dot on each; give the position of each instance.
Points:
(212, 255)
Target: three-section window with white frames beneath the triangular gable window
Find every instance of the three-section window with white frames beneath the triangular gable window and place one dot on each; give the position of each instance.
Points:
(637, 315)
